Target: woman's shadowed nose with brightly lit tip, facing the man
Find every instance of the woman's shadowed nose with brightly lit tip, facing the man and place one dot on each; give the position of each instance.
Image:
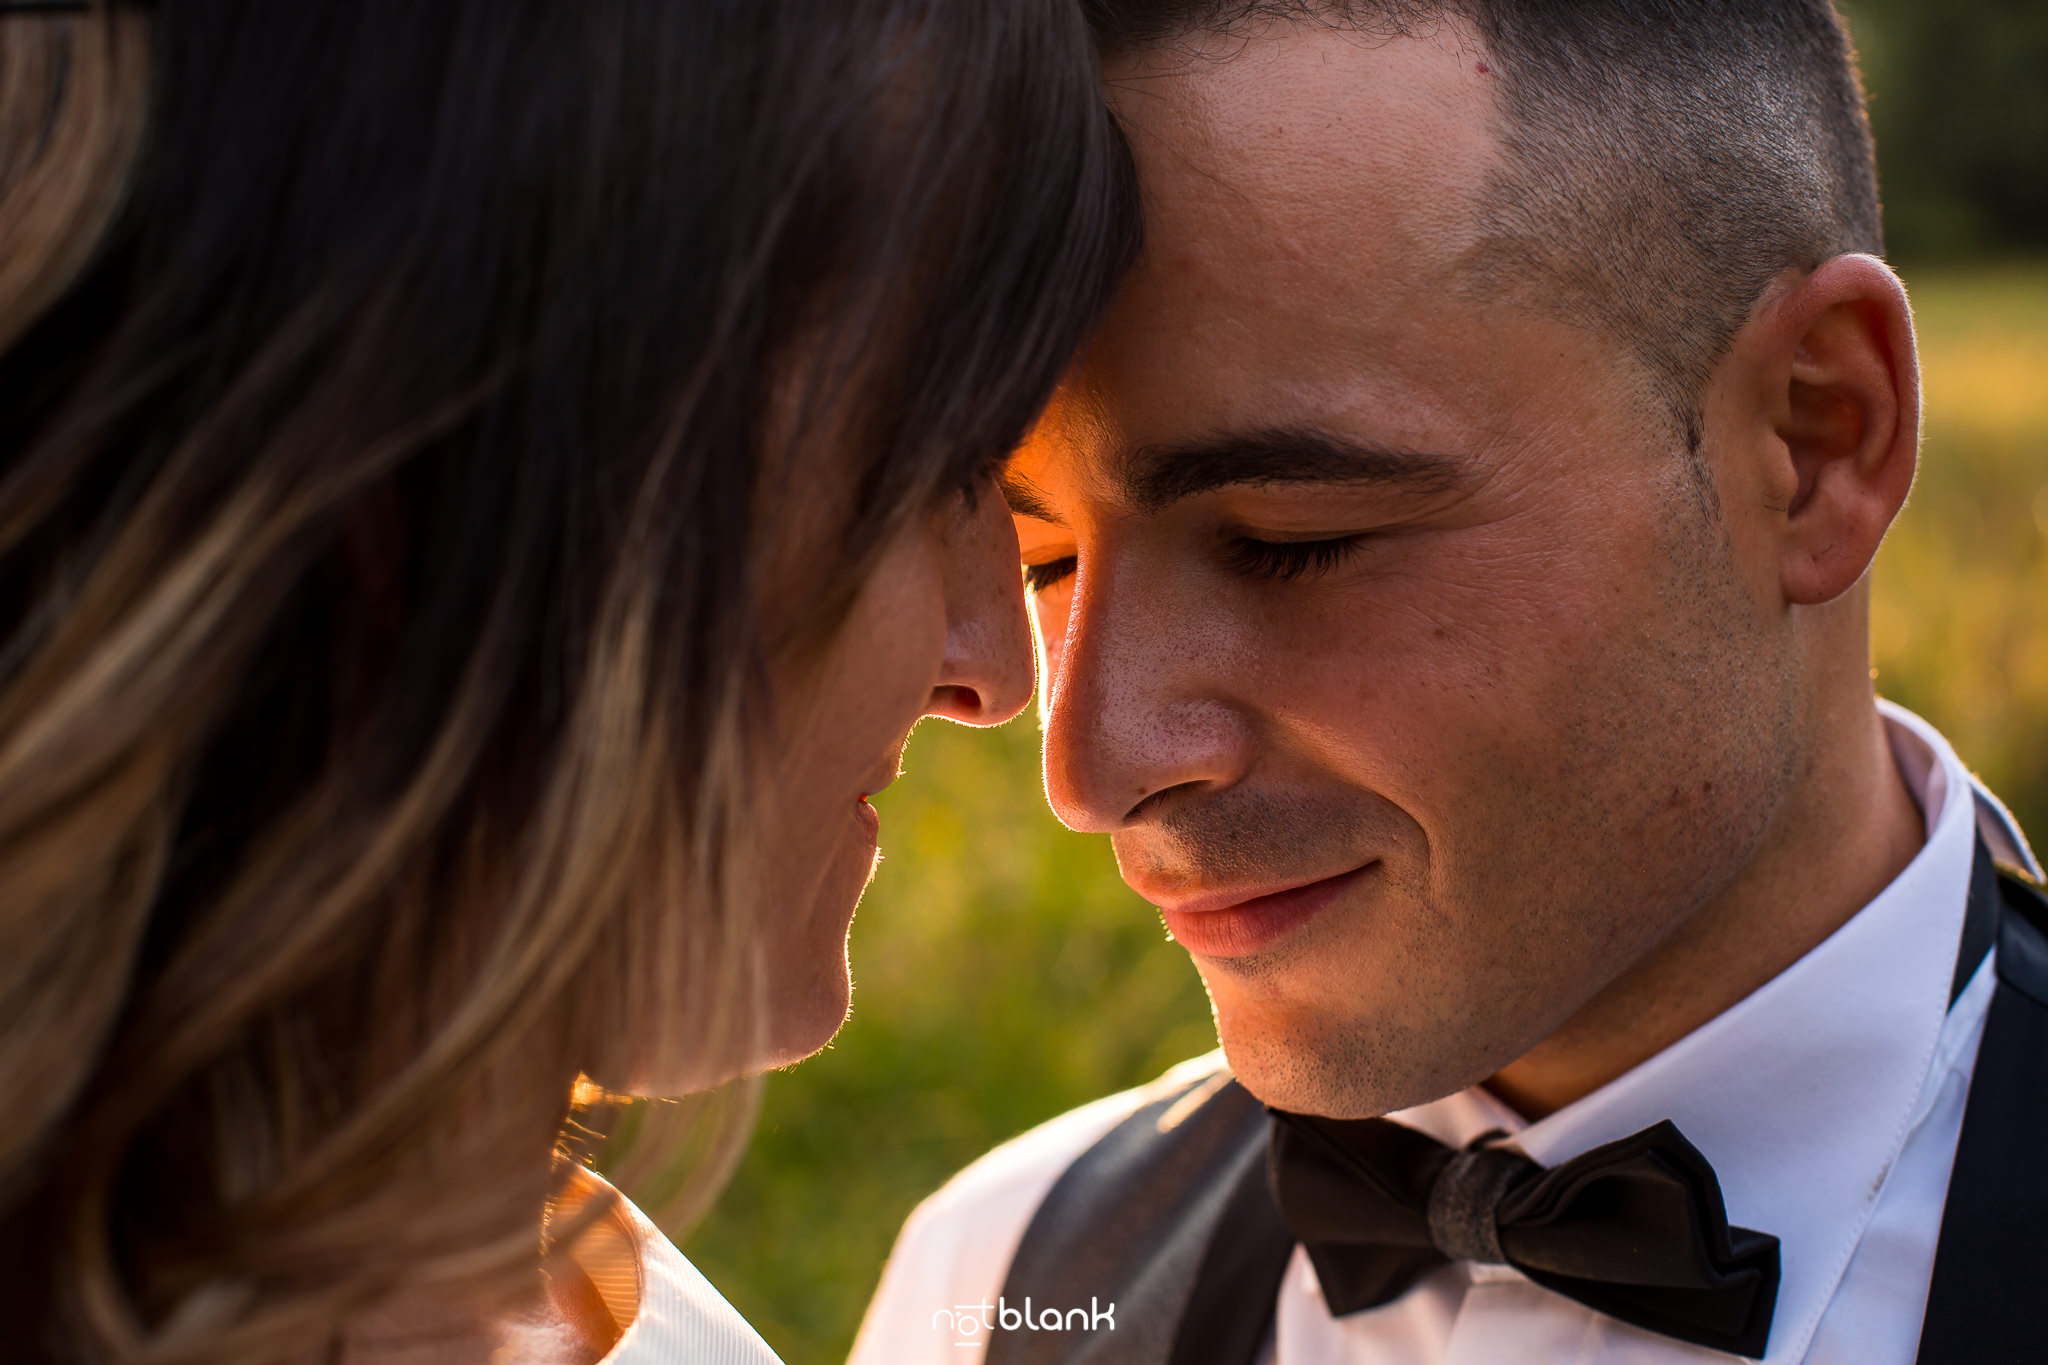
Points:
(988, 670)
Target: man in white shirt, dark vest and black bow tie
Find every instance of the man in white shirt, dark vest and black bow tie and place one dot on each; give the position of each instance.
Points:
(1451, 566)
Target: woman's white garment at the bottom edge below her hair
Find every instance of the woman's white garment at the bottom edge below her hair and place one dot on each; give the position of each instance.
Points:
(671, 1313)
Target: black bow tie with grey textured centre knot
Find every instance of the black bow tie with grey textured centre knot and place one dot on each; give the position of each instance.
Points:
(1633, 1229)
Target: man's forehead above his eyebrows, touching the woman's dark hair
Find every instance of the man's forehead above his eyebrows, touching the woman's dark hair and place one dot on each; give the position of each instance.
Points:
(1308, 195)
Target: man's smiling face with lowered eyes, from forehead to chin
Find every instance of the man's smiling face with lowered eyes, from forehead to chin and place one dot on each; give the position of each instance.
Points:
(1385, 623)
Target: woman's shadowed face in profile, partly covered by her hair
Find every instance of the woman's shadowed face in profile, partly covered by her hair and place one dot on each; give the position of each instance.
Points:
(937, 631)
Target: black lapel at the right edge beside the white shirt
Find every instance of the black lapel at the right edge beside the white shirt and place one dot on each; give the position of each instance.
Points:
(1992, 1262)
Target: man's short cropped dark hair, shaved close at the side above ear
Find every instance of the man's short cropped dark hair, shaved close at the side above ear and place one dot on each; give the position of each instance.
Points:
(1664, 159)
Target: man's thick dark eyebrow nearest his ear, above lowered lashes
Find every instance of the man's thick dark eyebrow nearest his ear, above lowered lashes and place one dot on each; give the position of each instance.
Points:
(1156, 478)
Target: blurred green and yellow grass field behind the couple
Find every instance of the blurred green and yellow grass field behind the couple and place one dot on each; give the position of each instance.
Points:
(1007, 975)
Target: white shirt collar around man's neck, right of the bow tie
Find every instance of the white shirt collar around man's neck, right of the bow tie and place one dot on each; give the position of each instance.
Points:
(1803, 1094)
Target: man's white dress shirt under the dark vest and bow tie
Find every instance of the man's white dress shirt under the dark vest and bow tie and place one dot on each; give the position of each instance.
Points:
(1830, 1104)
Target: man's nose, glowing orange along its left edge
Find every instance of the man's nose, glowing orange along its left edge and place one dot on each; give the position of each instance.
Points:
(1138, 701)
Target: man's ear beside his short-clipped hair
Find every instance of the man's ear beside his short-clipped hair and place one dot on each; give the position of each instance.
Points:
(1842, 392)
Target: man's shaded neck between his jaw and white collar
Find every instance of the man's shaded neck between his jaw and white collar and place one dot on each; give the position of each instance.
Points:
(1850, 836)
